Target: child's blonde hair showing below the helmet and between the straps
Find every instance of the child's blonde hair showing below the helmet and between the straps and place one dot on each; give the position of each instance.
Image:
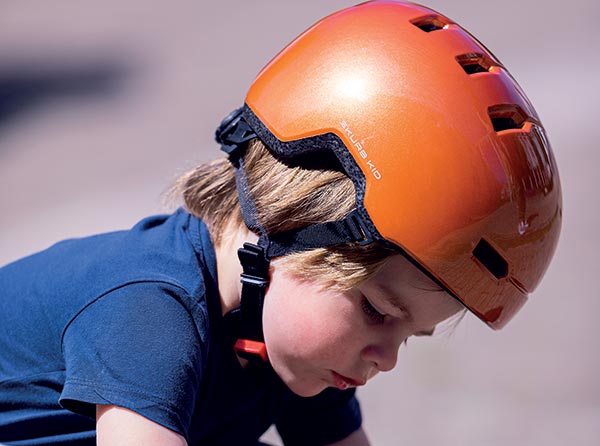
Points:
(286, 197)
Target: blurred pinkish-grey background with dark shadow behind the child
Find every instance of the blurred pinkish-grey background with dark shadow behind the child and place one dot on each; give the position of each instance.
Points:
(103, 104)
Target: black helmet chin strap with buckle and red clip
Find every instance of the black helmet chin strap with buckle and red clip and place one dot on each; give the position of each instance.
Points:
(233, 134)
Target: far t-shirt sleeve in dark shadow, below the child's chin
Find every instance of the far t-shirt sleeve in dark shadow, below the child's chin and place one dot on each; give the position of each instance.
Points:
(323, 419)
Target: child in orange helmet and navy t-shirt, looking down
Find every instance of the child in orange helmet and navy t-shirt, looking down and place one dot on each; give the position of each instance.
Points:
(385, 173)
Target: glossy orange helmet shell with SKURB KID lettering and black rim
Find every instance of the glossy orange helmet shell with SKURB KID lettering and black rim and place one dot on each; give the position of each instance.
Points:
(450, 161)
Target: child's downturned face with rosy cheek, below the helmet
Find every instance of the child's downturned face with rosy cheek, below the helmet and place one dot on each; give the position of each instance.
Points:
(319, 338)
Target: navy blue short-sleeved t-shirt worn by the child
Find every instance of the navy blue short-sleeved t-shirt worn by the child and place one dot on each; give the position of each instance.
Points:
(133, 318)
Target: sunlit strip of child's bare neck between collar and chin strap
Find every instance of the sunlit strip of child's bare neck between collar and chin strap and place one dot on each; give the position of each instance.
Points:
(228, 265)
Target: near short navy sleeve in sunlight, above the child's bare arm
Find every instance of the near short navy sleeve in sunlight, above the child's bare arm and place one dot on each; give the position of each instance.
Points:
(136, 347)
